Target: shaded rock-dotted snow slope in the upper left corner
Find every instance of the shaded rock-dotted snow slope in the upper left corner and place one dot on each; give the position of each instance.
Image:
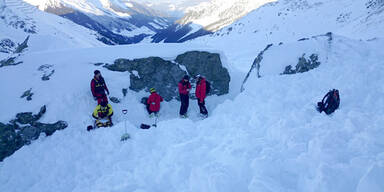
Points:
(18, 20)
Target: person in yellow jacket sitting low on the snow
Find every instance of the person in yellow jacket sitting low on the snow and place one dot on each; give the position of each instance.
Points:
(102, 111)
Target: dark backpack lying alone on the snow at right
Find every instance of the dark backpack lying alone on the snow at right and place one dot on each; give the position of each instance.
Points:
(330, 102)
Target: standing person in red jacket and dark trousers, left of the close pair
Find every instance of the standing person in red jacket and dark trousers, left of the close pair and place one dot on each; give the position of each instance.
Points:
(184, 88)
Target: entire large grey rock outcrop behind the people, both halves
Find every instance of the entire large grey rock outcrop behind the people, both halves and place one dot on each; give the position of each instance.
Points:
(164, 75)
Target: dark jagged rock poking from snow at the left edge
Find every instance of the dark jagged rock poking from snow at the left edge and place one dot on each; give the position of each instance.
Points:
(23, 130)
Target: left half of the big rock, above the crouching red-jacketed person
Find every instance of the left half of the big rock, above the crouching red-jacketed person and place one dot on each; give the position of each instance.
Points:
(151, 72)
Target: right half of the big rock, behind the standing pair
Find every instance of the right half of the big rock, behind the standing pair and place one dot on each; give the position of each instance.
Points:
(209, 65)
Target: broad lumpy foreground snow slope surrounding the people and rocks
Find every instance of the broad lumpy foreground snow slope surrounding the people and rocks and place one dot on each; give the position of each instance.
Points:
(267, 138)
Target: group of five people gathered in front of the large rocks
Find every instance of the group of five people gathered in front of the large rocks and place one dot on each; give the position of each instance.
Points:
(104, 110)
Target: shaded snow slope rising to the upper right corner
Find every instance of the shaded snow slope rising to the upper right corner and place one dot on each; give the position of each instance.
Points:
(290, 20)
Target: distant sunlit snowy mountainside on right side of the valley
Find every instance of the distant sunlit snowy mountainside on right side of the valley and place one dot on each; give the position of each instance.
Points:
(206, 18)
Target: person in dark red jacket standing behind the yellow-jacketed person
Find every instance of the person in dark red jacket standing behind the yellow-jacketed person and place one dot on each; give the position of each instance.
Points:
(98, 88)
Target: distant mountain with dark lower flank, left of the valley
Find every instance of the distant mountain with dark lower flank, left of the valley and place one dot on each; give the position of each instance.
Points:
(117, 21)
